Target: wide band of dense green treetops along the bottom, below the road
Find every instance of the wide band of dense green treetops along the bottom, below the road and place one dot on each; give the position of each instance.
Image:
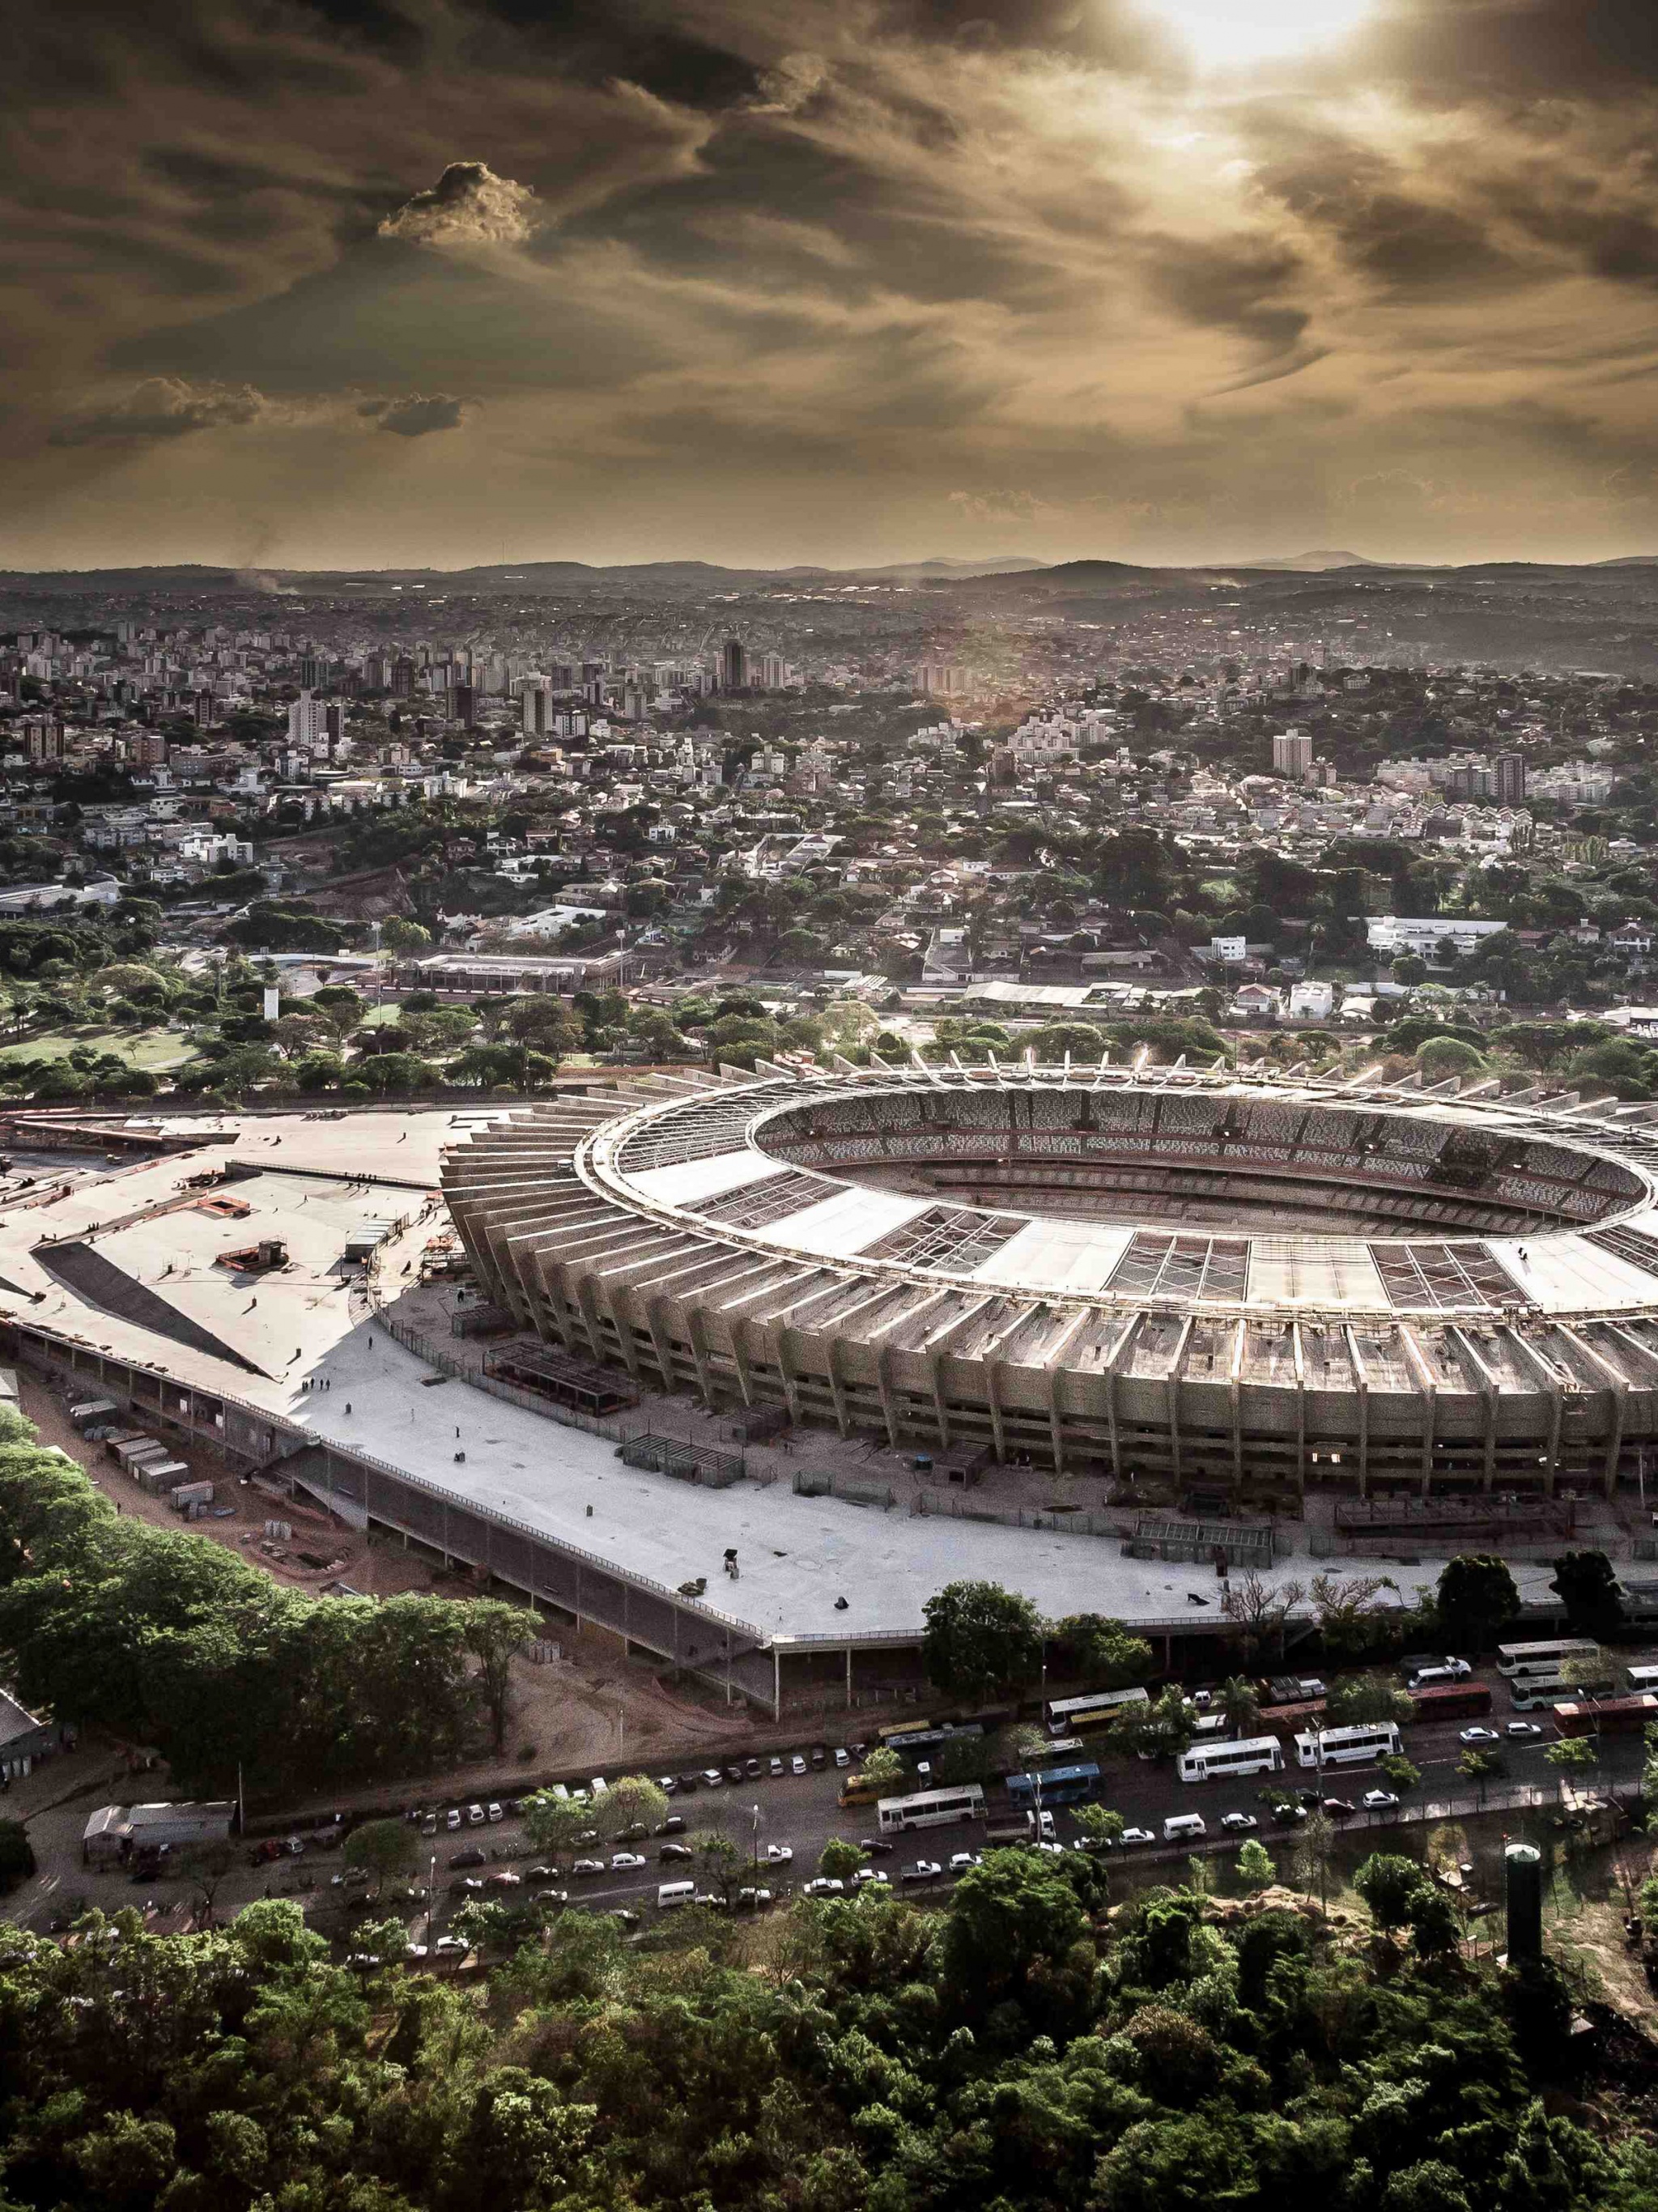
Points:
(1007, 2052)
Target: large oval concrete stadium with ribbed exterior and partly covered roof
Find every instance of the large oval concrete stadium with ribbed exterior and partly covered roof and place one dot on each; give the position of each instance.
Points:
(1213, 1288)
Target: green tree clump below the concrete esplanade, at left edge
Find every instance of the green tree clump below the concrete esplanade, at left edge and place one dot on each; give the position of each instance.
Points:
(174, 1642)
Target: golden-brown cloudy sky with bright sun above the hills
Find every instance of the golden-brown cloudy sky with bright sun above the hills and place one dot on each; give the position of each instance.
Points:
(773, 282)
